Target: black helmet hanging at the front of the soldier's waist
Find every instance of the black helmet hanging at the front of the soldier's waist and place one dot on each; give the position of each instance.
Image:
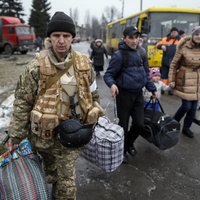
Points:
(71, 133)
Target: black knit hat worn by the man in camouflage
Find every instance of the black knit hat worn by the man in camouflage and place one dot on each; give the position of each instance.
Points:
(62, 23)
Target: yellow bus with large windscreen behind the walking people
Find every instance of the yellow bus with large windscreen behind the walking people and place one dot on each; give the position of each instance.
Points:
(156, 22)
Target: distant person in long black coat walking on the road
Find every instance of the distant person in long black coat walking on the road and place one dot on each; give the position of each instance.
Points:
(97, 56)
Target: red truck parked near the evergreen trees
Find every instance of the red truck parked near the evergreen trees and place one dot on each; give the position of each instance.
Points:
(15, 36)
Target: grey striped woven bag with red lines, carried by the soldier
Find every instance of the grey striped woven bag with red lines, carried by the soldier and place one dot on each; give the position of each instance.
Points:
(22, 178)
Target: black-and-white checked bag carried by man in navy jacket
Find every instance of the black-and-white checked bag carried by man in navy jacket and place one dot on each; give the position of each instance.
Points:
(106, 148)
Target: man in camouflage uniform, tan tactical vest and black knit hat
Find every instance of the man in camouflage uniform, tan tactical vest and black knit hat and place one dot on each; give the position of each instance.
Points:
(40, 106)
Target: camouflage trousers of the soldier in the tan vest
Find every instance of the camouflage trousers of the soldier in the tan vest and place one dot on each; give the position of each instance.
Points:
(59, 167)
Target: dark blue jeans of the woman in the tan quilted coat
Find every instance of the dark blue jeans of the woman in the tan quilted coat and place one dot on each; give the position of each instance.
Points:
(187, 108)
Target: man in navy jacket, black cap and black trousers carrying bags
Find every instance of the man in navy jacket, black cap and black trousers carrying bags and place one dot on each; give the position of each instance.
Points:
(126, 75)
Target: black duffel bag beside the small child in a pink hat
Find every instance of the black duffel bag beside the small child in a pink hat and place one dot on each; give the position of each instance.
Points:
(160, 129)
